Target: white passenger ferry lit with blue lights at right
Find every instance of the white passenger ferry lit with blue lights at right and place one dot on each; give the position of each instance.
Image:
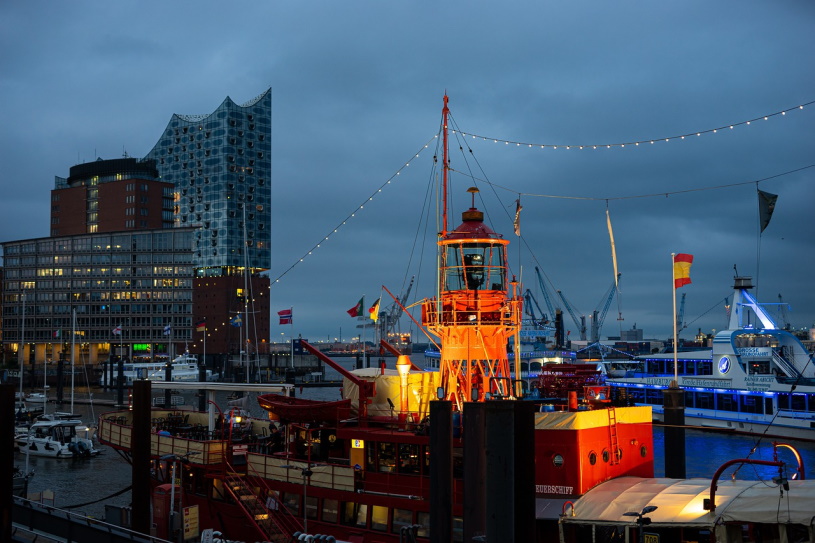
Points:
(758, 378)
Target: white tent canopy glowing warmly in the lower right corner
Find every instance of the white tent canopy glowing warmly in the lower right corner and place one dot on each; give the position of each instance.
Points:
(679, 502)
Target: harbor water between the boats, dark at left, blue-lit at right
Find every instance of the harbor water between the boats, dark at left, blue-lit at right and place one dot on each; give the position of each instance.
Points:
(86, 485)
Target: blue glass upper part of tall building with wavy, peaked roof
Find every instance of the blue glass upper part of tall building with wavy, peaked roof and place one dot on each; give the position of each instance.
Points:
(220, 166)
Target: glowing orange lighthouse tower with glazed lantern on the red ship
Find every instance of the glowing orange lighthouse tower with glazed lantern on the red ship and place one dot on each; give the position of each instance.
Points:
(475, 313)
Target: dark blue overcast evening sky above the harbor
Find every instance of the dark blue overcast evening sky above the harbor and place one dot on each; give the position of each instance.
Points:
(357, 93)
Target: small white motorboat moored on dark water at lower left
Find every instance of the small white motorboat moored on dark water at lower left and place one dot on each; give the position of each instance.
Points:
(58, 438)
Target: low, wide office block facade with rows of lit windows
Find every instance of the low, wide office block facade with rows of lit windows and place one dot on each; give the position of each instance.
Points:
(140, 281)
